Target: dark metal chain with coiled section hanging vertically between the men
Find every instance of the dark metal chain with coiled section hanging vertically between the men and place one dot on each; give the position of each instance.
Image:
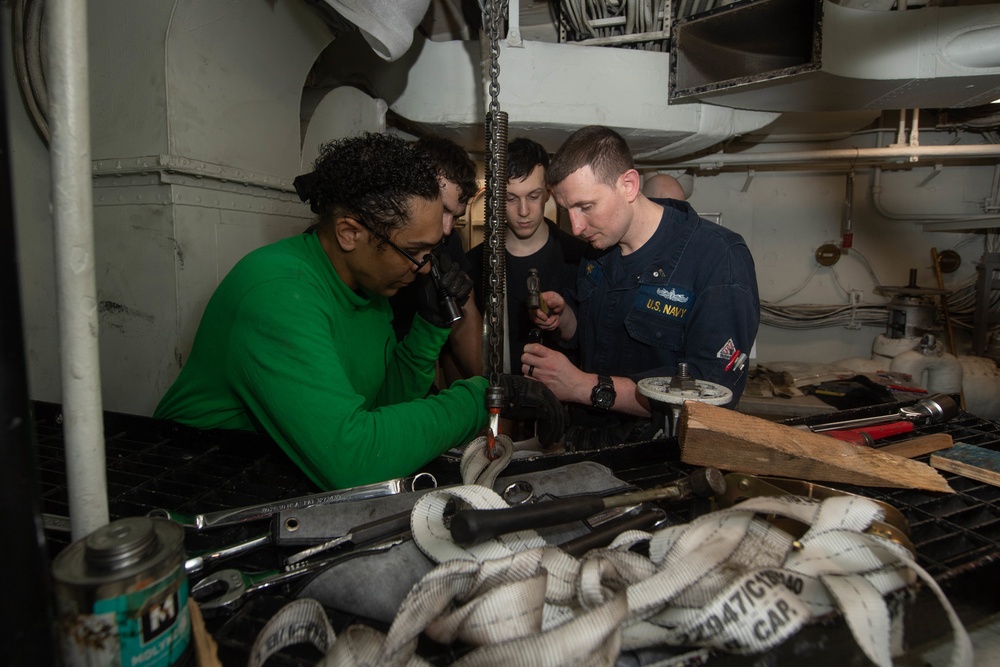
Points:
(496, 202)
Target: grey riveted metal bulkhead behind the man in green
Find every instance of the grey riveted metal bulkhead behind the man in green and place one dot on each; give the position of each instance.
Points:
(195, 110)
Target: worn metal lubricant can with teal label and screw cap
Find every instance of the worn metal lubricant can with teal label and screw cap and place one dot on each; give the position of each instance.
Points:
(122, 596)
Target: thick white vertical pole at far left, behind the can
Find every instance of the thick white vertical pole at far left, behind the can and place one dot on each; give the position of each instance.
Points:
(72, 210)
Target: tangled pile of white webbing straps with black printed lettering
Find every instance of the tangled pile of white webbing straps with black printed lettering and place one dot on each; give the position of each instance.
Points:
(728, 580)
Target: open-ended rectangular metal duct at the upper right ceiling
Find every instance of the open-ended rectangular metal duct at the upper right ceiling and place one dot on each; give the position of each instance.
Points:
(815, 55)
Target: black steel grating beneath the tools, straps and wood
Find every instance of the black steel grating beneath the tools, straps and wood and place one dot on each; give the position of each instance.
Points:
(155, 464)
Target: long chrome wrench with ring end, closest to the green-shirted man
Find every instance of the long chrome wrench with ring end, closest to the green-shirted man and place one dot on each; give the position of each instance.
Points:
(263, 511)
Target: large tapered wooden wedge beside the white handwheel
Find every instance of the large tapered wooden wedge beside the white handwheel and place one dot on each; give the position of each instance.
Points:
(714, 436)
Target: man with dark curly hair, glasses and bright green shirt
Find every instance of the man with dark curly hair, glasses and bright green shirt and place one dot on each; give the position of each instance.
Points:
(296, 341)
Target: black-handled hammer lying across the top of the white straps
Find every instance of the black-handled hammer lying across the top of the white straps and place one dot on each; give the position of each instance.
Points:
(469, 527)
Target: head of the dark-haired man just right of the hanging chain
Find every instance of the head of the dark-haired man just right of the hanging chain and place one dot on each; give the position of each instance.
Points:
(527, 193)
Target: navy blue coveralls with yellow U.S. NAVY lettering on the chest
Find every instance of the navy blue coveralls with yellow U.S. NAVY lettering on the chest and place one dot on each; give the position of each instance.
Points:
(688, 294)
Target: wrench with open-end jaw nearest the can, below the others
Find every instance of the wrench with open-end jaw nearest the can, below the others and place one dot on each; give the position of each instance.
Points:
(225, 589)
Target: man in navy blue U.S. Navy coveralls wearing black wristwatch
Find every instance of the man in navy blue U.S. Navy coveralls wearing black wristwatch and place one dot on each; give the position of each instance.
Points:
(665, 287)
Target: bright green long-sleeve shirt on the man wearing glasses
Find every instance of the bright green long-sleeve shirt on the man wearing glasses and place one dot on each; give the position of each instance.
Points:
(285, 347)
